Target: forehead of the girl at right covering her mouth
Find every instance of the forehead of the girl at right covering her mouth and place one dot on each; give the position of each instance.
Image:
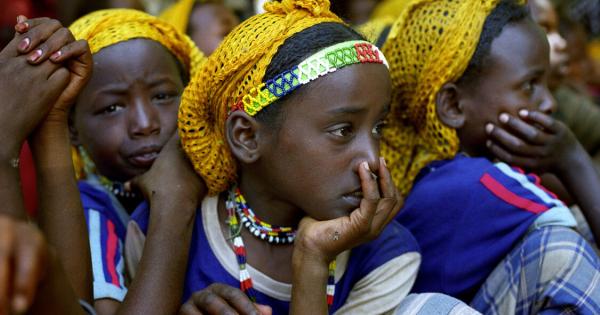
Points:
(521, 46)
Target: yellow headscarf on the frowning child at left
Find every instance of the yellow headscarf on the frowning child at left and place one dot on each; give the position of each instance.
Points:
(109, 27)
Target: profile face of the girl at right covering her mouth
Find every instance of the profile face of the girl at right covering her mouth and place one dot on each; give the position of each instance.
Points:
(514, 77)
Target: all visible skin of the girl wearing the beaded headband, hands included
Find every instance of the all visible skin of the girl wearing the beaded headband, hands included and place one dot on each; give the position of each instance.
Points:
(329, 143)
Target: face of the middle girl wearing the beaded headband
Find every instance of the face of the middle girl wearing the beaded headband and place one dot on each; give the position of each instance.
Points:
(329, 127)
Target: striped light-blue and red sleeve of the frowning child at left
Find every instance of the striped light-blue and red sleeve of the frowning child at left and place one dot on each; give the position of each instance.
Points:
(108, 265)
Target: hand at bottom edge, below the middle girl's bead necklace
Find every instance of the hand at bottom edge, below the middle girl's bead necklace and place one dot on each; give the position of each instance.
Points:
(222, 299)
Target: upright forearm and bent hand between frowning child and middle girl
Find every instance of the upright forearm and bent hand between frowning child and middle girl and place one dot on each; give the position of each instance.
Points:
(173, 191)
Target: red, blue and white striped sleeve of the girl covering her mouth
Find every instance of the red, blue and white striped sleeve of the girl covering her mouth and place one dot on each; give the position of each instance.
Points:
(525, 192)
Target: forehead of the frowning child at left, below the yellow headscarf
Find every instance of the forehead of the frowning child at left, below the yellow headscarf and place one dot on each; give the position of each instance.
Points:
(130, 60)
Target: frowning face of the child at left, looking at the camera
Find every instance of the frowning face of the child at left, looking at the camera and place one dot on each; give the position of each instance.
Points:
(128, 110)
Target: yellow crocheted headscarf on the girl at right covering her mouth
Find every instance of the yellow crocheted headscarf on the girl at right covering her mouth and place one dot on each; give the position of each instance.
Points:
(430, 44)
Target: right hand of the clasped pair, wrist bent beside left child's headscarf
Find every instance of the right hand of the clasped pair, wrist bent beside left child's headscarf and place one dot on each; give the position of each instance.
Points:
(43, 39)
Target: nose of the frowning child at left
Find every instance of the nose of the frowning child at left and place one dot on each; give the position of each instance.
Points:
(144, 119)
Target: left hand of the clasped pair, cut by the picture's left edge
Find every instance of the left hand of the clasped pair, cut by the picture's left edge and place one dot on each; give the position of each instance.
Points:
(27, 92)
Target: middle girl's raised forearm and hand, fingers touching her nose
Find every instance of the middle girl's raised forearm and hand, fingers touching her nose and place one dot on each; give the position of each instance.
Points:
(318, 243)
